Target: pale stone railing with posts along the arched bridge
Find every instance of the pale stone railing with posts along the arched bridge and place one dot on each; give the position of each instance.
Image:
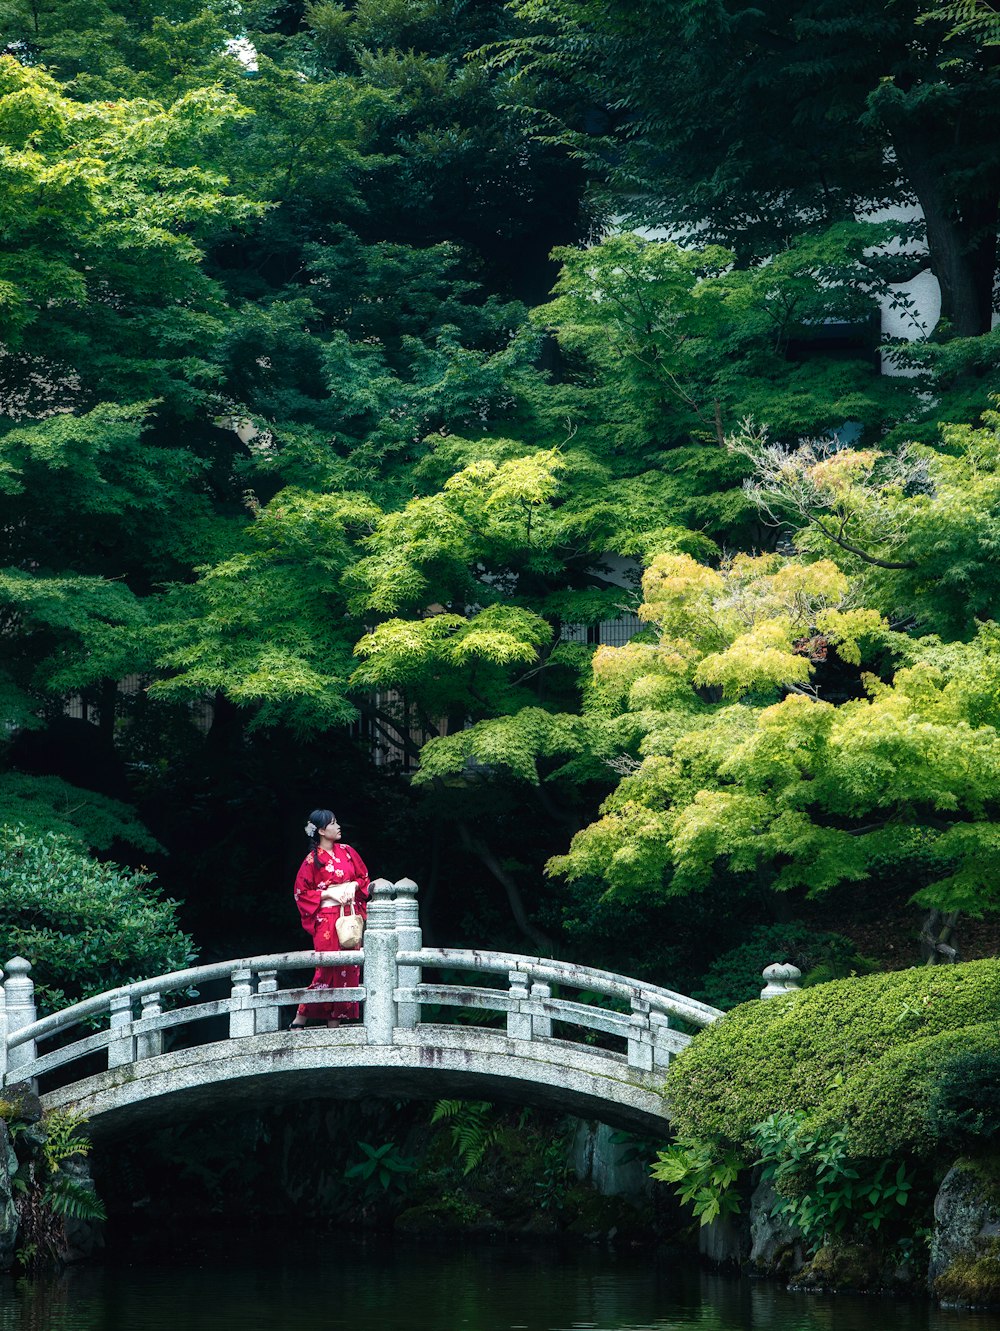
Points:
(132, 1022)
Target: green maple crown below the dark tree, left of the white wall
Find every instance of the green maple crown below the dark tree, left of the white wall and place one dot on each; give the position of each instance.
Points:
(673, 347)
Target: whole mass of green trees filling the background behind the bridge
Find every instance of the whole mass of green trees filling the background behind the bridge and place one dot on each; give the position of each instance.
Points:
(339, 425)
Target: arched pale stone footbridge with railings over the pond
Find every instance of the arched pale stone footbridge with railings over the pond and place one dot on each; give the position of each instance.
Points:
(211, 1039)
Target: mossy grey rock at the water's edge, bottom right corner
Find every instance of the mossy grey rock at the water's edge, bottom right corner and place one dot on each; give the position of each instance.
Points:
(965, 1268)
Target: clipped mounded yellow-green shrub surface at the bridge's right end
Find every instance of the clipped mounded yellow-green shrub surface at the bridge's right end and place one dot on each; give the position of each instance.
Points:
(860, 1052)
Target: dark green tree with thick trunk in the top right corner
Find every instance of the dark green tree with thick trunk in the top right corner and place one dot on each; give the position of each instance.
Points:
(887, 104)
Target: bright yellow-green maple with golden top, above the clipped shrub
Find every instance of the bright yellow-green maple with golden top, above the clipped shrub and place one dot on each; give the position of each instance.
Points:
(772, 782)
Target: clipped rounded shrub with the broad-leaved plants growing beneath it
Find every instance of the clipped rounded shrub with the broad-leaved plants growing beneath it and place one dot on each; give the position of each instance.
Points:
(849, 1097)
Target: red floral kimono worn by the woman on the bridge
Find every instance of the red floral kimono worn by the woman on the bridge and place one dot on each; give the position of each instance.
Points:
(320, 923)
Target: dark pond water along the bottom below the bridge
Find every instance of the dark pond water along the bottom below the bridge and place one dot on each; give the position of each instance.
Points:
(332, 1286)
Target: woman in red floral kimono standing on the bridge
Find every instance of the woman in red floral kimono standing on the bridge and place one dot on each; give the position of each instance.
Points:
(332, 880)
